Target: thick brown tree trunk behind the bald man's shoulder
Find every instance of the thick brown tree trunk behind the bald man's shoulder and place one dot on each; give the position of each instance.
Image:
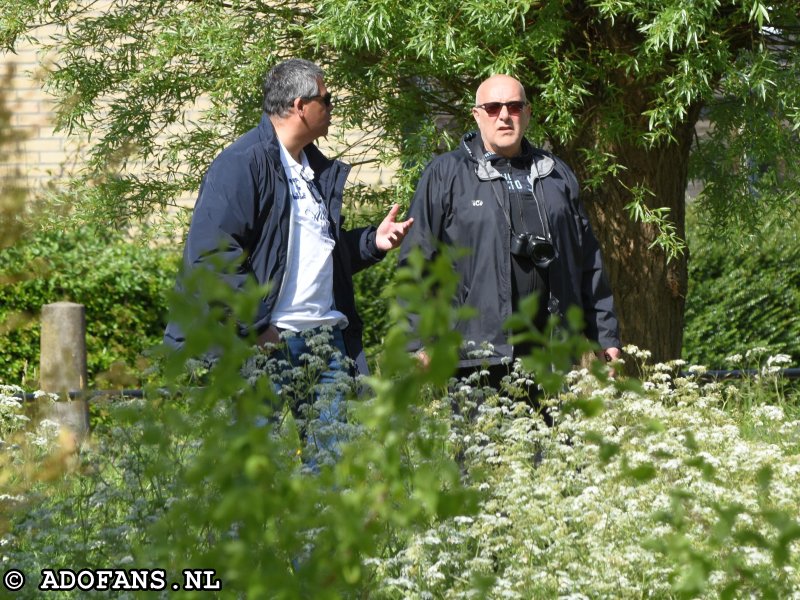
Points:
(649, 291)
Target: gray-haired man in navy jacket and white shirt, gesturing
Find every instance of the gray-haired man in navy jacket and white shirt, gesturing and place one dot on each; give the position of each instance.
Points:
(269, 210)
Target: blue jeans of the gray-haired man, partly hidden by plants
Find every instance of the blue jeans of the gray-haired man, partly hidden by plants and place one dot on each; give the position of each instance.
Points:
(315, 389)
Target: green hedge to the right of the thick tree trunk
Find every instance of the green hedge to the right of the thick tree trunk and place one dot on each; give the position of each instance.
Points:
(743, 293)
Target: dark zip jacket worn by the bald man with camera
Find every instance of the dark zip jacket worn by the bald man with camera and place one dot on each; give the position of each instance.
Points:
(457, 202)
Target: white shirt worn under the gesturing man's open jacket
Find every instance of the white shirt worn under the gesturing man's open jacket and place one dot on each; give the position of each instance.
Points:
(306, 297)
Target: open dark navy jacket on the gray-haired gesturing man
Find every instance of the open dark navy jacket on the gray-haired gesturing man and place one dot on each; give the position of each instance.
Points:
(242, 218)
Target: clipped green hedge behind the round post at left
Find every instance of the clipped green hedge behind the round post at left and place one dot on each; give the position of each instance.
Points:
(123, 286)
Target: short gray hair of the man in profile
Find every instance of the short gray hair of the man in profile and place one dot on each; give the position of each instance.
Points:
(290, 79)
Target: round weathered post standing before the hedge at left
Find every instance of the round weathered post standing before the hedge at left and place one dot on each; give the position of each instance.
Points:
(62, 364)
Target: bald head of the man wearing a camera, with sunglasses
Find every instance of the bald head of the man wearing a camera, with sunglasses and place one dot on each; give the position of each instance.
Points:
(502, 114)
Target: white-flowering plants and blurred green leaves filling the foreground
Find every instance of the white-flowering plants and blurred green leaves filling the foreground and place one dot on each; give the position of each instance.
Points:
(660, 482)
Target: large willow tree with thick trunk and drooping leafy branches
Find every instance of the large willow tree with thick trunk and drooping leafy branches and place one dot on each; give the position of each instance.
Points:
(617, 88)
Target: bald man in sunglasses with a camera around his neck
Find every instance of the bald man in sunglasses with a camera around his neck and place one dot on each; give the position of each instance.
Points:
(515, 208)
